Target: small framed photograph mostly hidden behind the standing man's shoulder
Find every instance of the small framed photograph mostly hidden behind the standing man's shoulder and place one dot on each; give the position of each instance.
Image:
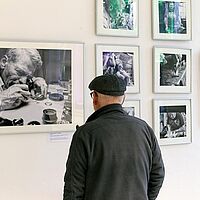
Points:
(132, 107)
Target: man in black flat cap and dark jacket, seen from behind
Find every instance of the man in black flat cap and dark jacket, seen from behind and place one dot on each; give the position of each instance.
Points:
(113, 156)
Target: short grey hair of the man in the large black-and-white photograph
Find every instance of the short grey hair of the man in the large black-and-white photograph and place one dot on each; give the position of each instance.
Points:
(12, 55)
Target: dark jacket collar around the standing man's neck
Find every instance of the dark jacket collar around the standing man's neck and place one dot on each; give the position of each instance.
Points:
(104, 110)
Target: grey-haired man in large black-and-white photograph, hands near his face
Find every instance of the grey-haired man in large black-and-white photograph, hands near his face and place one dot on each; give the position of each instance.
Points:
(17, 81)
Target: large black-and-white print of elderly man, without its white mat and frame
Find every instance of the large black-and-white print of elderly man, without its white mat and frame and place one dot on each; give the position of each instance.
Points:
(36, 81)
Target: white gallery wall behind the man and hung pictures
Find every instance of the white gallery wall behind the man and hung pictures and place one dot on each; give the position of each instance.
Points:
(32, 166)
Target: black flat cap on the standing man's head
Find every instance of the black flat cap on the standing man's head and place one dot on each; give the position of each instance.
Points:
(108, 85)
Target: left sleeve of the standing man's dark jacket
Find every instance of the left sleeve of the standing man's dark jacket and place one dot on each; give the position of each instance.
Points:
(74, 179)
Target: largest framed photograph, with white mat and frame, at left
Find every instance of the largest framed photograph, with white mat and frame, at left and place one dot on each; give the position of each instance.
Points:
(40, 89)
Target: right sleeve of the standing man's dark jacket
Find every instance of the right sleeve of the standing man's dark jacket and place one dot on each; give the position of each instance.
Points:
(157, 171)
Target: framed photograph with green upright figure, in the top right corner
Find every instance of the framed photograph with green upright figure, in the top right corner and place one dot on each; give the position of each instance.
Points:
(172, 19)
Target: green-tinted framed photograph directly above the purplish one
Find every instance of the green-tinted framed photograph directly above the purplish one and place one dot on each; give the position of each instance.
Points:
(117, 18)
